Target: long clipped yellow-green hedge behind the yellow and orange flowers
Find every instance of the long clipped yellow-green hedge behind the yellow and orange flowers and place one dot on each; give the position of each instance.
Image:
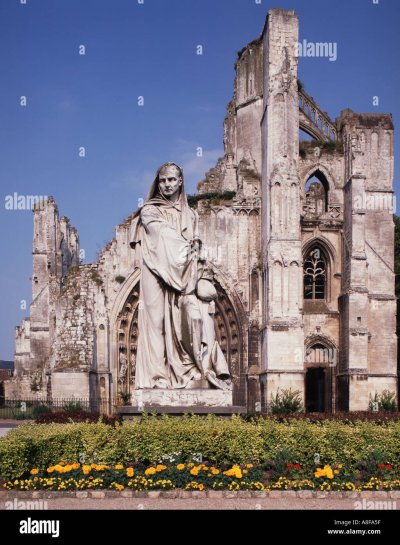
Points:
(219, 440)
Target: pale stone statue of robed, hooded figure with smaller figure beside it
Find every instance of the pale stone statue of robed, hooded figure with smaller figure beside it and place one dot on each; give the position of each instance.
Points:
(176, 343)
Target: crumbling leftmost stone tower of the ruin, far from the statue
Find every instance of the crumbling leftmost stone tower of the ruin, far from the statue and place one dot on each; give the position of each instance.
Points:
(55, 249)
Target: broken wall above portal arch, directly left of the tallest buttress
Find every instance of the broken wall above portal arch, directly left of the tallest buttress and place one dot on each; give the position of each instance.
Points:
(231, 229)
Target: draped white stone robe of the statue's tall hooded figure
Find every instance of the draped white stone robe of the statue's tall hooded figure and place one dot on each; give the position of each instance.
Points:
(169, 315)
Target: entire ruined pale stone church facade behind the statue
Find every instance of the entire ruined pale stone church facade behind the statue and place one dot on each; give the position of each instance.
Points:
(300, 235)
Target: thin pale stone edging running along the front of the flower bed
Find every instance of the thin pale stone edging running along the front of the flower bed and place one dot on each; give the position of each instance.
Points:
(197, 494)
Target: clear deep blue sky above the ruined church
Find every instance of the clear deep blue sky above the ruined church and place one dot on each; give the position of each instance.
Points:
(148, 50)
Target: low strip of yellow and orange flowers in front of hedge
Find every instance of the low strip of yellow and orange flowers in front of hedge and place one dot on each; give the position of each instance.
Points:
(190, 477)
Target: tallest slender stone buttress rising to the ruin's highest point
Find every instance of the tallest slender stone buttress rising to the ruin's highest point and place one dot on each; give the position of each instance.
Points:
(282, 336)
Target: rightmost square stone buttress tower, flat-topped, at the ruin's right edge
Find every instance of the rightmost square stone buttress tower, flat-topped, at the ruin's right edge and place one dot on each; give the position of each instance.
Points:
(369, 331)
